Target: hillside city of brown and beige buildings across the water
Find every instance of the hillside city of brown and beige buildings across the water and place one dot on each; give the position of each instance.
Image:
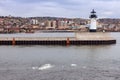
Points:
(9, 24)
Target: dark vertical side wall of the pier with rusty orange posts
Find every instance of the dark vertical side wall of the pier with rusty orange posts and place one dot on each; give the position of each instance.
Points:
(56, 42)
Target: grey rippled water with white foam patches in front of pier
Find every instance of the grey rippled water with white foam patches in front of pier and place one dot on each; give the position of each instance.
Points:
(60, 62)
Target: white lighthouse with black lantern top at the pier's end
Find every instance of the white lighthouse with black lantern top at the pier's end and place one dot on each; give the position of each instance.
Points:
(93, 25)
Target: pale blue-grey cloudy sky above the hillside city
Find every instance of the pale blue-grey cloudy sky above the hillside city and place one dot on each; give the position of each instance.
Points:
(60, 8)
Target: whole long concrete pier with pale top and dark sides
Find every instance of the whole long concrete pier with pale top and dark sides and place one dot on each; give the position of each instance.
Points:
(79, 39)
